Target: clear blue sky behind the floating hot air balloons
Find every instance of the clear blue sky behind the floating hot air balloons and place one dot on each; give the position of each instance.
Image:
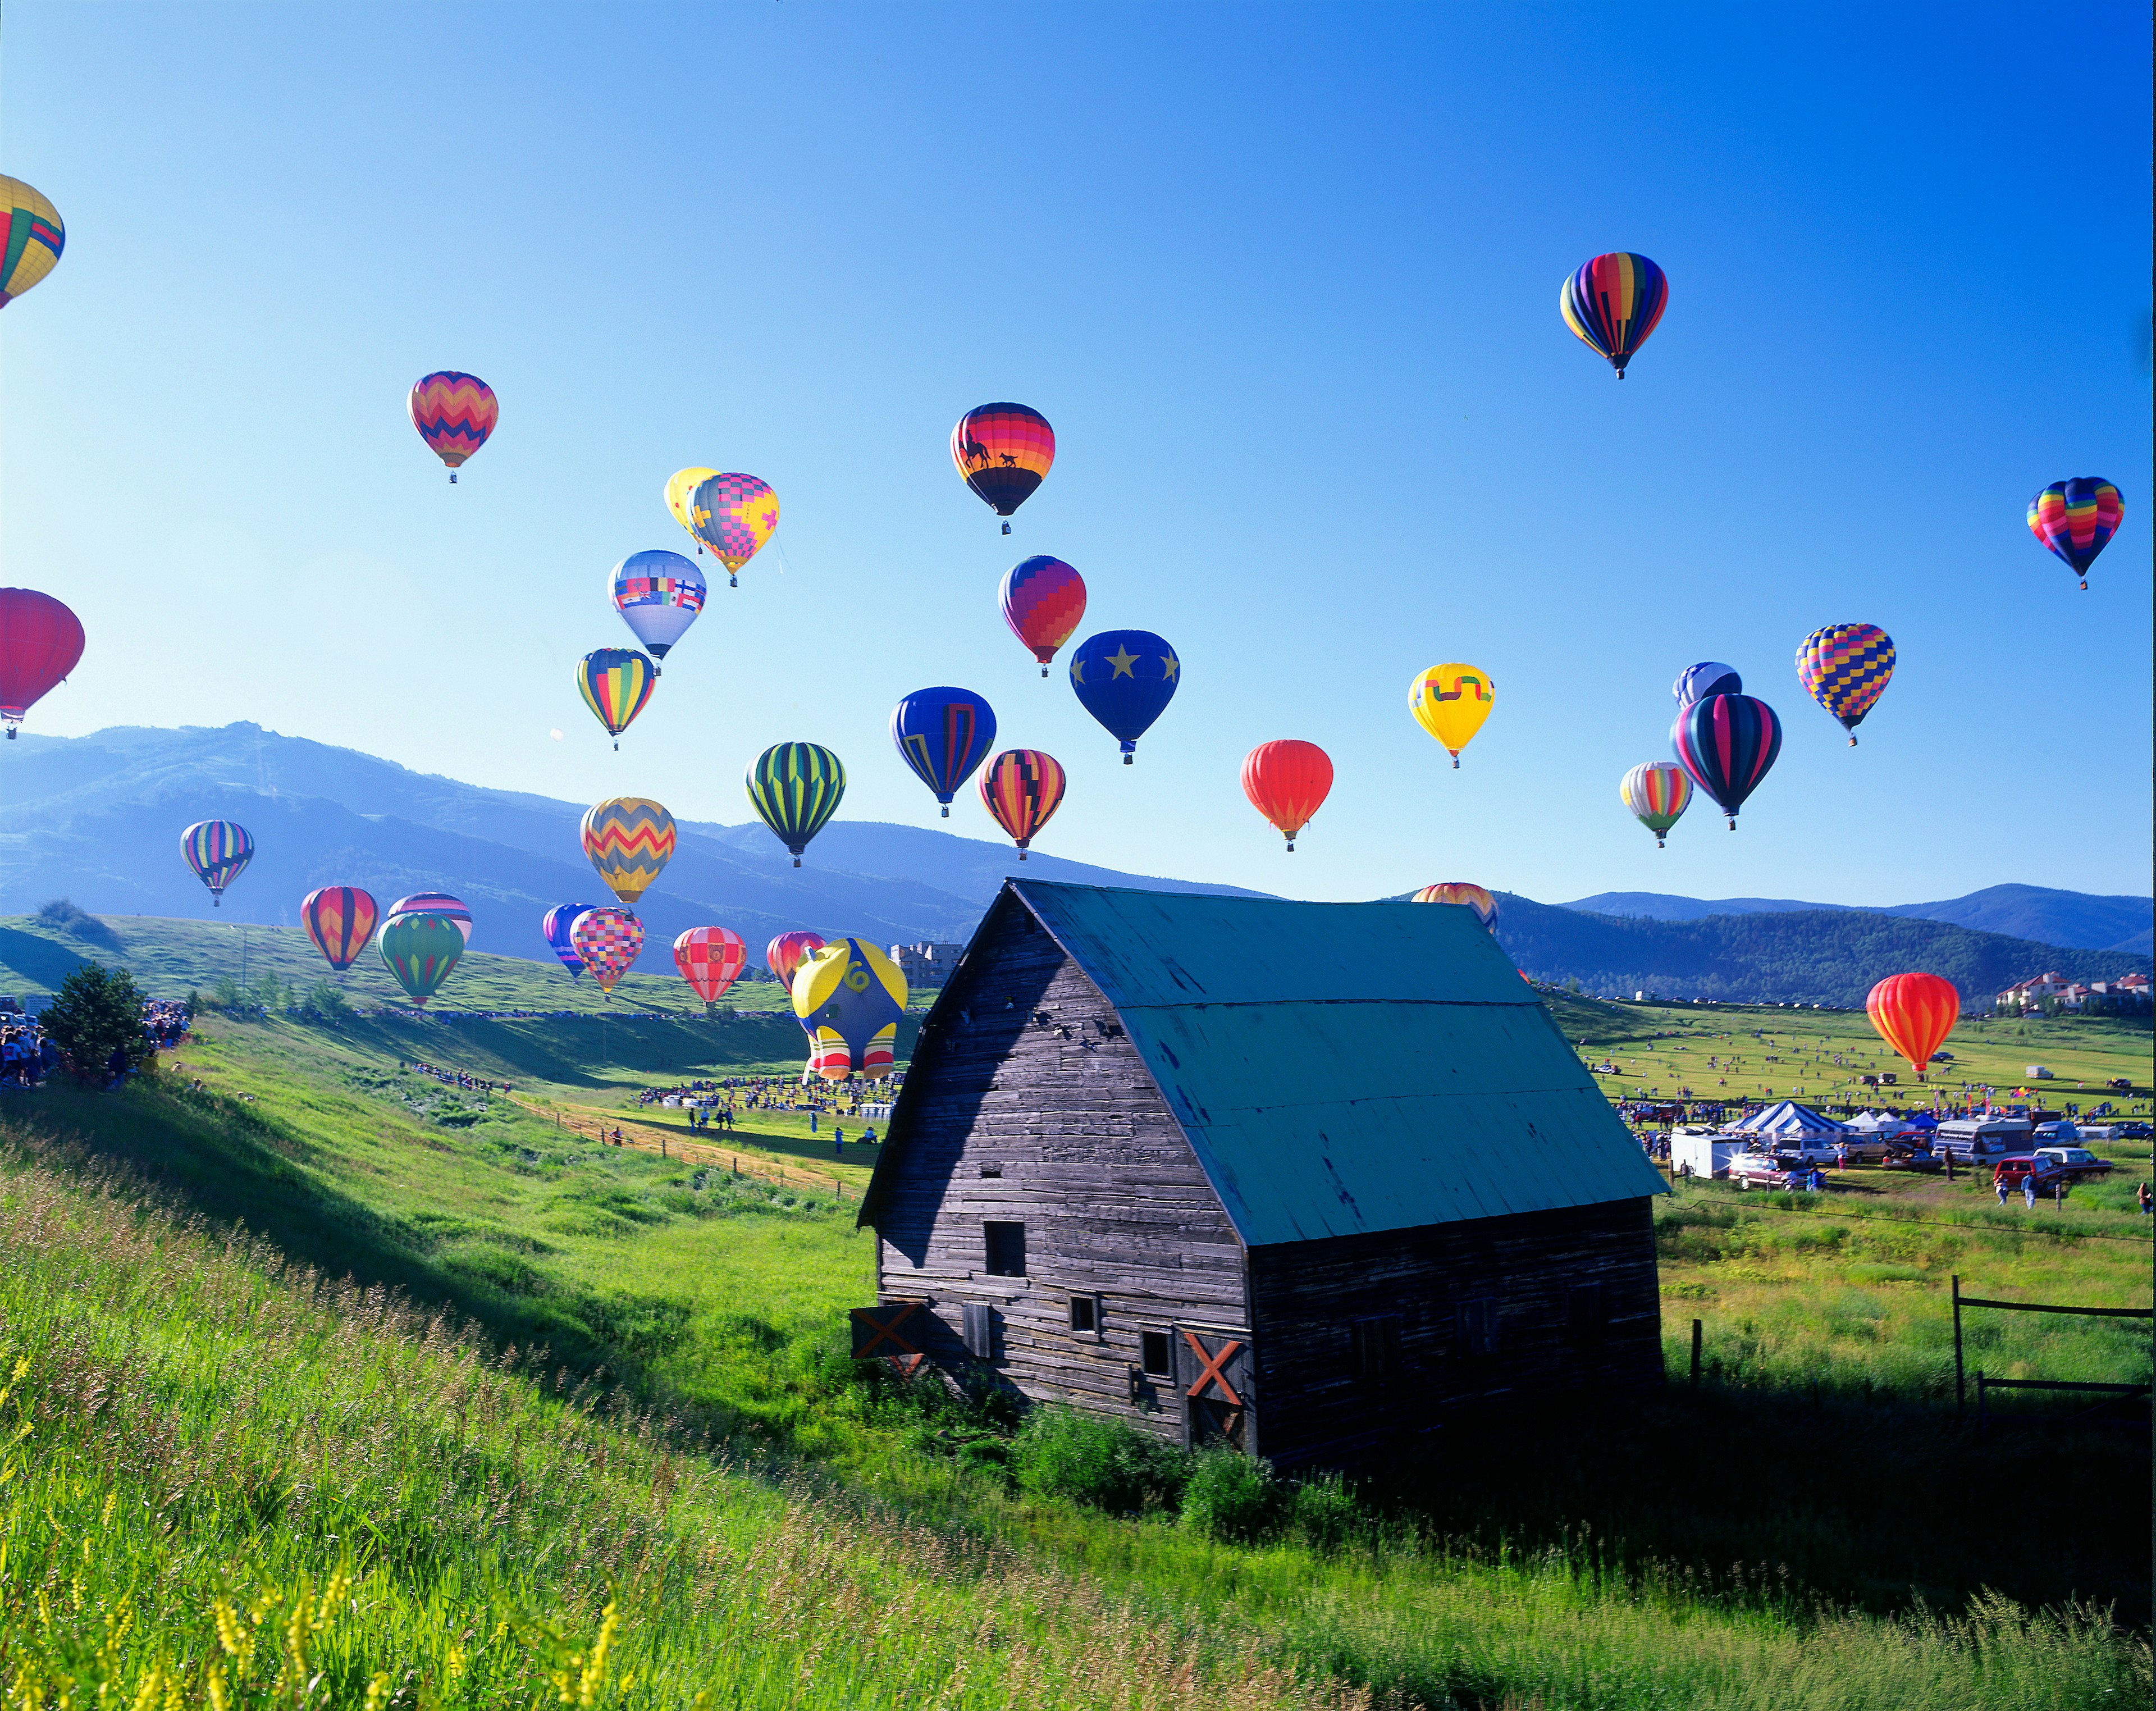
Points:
(1286, 284)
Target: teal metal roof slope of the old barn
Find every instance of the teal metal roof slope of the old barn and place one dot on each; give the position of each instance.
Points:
(1346, 1069)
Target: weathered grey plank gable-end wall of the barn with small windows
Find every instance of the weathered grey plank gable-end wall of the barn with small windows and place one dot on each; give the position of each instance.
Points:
(1029, 1073)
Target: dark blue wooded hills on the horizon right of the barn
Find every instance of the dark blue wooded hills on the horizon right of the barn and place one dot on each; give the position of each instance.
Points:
(1780, 957)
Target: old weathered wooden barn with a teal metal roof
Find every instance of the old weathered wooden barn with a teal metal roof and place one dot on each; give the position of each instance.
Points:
(1299, 1177)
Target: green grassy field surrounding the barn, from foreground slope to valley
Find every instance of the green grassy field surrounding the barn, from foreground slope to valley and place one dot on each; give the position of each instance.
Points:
(331, 1378)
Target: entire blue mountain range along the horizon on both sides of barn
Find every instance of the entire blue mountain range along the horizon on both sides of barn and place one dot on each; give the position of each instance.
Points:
(98, 821)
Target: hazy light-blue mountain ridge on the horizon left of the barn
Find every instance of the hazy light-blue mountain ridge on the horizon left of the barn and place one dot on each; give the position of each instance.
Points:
(98, 821)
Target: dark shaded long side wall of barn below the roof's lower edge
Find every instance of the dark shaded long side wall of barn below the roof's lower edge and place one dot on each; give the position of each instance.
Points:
(1545, 1334)
